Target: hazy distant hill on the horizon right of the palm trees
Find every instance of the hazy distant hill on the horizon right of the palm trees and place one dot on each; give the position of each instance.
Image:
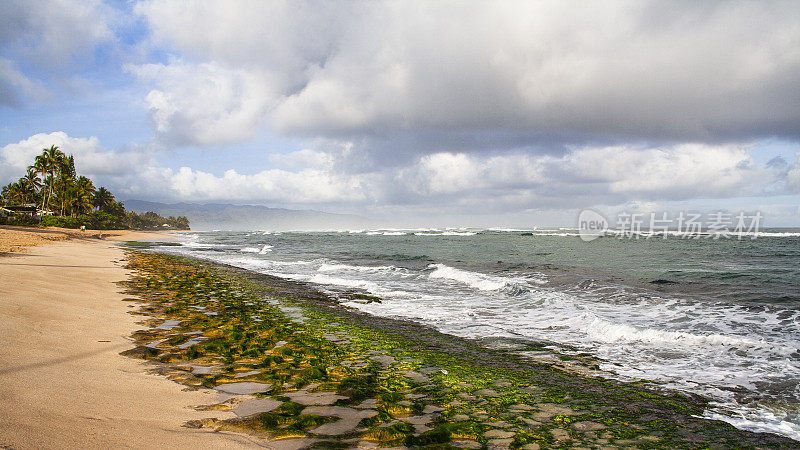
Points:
(212, 216)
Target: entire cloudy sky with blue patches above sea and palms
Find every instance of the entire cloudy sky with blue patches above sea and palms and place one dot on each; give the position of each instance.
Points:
(461, 113)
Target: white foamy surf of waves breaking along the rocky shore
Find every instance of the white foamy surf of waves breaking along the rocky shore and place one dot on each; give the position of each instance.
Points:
(715, 349)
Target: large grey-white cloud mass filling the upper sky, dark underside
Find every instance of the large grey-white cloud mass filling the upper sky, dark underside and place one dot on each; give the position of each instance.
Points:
(568, 73)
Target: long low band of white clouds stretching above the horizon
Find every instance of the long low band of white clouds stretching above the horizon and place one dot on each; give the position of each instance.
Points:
(437, 183)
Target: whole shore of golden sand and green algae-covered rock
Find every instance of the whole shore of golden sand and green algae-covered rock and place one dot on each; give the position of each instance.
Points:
(65, 384)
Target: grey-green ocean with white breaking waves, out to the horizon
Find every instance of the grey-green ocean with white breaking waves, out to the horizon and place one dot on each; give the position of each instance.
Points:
(717, 317)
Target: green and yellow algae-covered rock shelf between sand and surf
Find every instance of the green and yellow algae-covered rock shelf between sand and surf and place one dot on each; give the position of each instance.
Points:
(462, 391)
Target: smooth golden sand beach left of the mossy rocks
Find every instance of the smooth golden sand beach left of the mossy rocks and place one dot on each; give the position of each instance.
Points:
(63, 383)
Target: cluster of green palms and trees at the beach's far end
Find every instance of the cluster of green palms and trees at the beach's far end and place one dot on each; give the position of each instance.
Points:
(64, 198)
